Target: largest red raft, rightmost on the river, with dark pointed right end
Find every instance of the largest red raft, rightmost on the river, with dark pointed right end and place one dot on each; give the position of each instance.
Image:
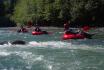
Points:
(76, 34)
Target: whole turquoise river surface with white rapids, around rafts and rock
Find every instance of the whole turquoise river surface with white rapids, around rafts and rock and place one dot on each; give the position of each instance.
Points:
(50, 52)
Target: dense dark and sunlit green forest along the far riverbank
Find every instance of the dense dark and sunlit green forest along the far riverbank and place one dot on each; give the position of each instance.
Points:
(52, 12)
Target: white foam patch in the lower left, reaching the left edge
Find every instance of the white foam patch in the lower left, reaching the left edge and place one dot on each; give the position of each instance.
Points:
(28, 57)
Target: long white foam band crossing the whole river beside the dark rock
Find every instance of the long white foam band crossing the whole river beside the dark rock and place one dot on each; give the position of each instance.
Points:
(55, 44)
